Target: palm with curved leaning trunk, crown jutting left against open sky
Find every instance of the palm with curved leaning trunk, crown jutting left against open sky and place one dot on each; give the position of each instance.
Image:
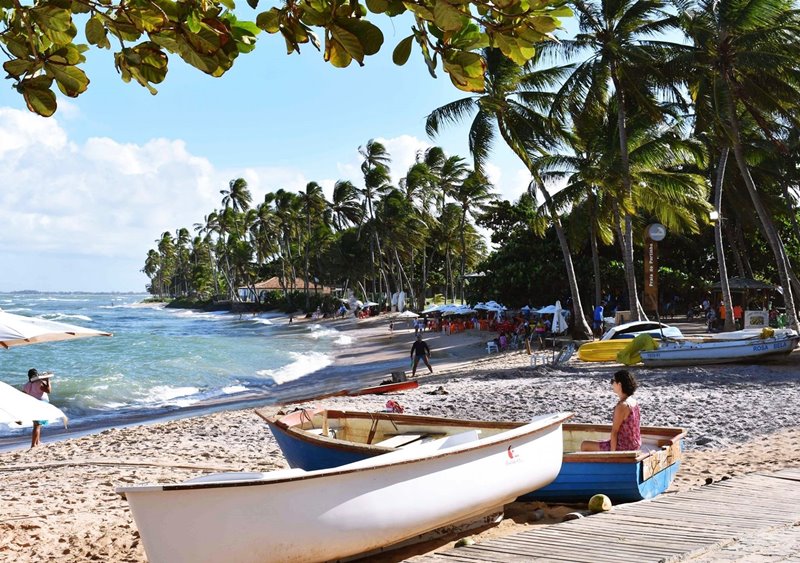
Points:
(513, 105)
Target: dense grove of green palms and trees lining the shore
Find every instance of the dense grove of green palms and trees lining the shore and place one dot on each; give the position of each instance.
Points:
(633, 120)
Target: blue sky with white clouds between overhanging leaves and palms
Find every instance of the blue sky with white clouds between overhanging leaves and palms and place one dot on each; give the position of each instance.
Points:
(86, 193)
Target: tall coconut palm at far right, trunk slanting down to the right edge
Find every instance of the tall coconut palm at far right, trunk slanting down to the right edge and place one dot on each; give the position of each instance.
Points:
(744, 61)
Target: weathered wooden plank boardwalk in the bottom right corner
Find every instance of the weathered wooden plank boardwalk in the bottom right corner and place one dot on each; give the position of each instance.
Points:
(669, 528)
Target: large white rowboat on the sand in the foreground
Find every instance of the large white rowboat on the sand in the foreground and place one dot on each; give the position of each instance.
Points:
(294, 515)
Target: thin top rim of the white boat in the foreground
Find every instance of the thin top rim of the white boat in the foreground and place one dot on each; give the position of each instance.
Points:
(491, 441)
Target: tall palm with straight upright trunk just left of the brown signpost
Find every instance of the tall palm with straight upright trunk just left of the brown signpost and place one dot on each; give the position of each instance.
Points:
(616, 45)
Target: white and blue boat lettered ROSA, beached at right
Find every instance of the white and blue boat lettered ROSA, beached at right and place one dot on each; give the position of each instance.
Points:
(728, 347)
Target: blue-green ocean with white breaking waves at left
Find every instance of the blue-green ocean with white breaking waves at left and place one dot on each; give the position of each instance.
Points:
(165, 362)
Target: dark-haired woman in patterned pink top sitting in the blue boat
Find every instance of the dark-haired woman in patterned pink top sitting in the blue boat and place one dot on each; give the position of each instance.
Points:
(625, 434)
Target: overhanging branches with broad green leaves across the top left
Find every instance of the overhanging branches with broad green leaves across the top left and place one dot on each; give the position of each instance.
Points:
(39, 40)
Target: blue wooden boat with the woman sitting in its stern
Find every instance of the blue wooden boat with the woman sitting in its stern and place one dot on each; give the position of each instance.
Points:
(318, 438)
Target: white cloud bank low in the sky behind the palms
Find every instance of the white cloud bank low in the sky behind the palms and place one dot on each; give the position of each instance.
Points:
(82, 215)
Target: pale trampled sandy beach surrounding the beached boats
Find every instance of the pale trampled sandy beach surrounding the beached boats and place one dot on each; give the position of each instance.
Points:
(58, 502)
